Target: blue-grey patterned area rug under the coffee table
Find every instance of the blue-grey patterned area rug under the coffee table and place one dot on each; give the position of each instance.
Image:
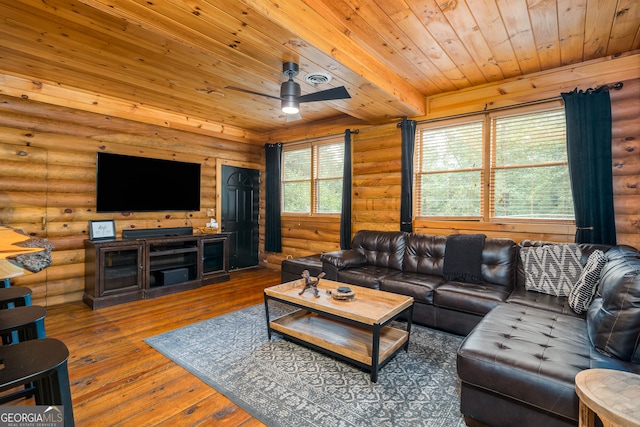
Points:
(285, 384)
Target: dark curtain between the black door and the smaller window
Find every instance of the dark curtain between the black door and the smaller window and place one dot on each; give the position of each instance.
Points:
(272, 229)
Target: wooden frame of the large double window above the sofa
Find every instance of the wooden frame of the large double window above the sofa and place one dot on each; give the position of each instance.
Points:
(487, 176)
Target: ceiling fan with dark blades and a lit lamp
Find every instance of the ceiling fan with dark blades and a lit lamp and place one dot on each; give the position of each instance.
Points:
(290, 96)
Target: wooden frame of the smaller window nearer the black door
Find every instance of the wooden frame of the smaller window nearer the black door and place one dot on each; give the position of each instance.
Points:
(314, 179)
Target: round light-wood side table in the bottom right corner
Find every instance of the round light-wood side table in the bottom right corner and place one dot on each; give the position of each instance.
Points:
(613, 395)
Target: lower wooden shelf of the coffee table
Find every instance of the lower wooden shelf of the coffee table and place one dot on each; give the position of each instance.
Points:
(345, 340)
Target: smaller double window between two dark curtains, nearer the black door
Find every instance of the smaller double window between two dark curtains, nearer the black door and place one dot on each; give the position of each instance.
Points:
(312, 178)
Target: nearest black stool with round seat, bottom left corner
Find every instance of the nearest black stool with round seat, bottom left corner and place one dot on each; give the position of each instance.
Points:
(44, 363)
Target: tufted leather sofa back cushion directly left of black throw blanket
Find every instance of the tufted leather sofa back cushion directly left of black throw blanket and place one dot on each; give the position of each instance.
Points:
(424, 254)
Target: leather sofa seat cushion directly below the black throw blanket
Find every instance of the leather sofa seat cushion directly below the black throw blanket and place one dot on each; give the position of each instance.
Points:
(474, 298)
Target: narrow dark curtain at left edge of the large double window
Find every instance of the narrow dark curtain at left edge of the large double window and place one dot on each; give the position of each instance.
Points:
(408, 128)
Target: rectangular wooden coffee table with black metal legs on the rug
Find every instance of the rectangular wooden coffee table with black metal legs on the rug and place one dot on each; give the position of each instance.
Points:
(355, 330)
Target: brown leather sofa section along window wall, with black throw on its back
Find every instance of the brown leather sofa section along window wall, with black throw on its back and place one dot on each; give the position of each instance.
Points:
(412, 264)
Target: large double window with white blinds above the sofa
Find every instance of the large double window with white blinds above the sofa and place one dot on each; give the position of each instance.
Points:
(519, 156)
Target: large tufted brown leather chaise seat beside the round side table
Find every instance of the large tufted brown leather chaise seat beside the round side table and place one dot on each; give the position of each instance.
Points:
(531, 356)
